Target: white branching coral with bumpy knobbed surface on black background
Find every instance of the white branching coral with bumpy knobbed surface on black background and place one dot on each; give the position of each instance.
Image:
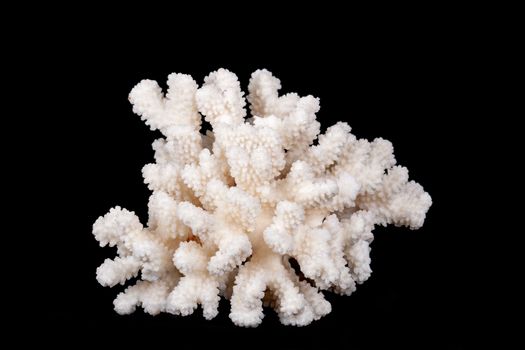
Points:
(261, 210)
